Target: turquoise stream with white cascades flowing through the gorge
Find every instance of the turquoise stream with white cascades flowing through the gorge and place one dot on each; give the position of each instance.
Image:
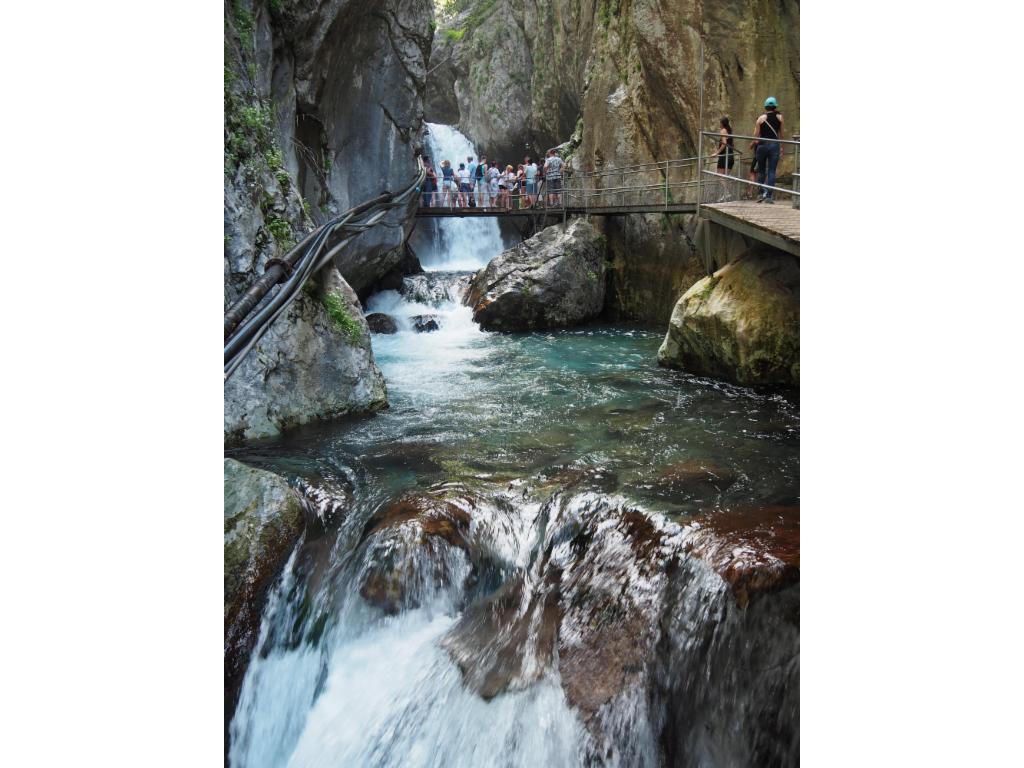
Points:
(499, 569)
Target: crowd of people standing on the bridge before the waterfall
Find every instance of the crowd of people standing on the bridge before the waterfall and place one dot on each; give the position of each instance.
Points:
(488, 185)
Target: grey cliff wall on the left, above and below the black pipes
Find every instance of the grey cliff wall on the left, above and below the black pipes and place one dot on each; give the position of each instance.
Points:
(323, 110)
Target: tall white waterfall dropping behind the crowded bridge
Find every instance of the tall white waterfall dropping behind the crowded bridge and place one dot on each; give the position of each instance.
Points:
(459, 244)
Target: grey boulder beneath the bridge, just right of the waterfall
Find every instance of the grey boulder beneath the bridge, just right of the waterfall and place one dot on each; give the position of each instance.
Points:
(552, 280)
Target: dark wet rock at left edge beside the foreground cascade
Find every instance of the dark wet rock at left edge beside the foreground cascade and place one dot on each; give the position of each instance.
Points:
(264, 520)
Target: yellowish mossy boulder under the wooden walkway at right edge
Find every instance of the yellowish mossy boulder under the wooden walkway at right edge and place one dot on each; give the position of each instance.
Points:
(742, 324)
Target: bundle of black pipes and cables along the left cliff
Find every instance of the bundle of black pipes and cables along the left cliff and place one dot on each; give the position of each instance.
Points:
(304, 262)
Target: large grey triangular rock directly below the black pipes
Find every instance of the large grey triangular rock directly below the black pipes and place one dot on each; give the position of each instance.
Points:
(316, 363)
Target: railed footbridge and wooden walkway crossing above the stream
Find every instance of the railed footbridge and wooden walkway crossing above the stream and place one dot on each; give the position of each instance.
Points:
(673, 187)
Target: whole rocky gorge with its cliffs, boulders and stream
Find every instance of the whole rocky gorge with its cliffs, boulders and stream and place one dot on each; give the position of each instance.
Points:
(461, 496)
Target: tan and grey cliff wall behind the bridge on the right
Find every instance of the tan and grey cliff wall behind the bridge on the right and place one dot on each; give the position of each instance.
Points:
(522, 76)
